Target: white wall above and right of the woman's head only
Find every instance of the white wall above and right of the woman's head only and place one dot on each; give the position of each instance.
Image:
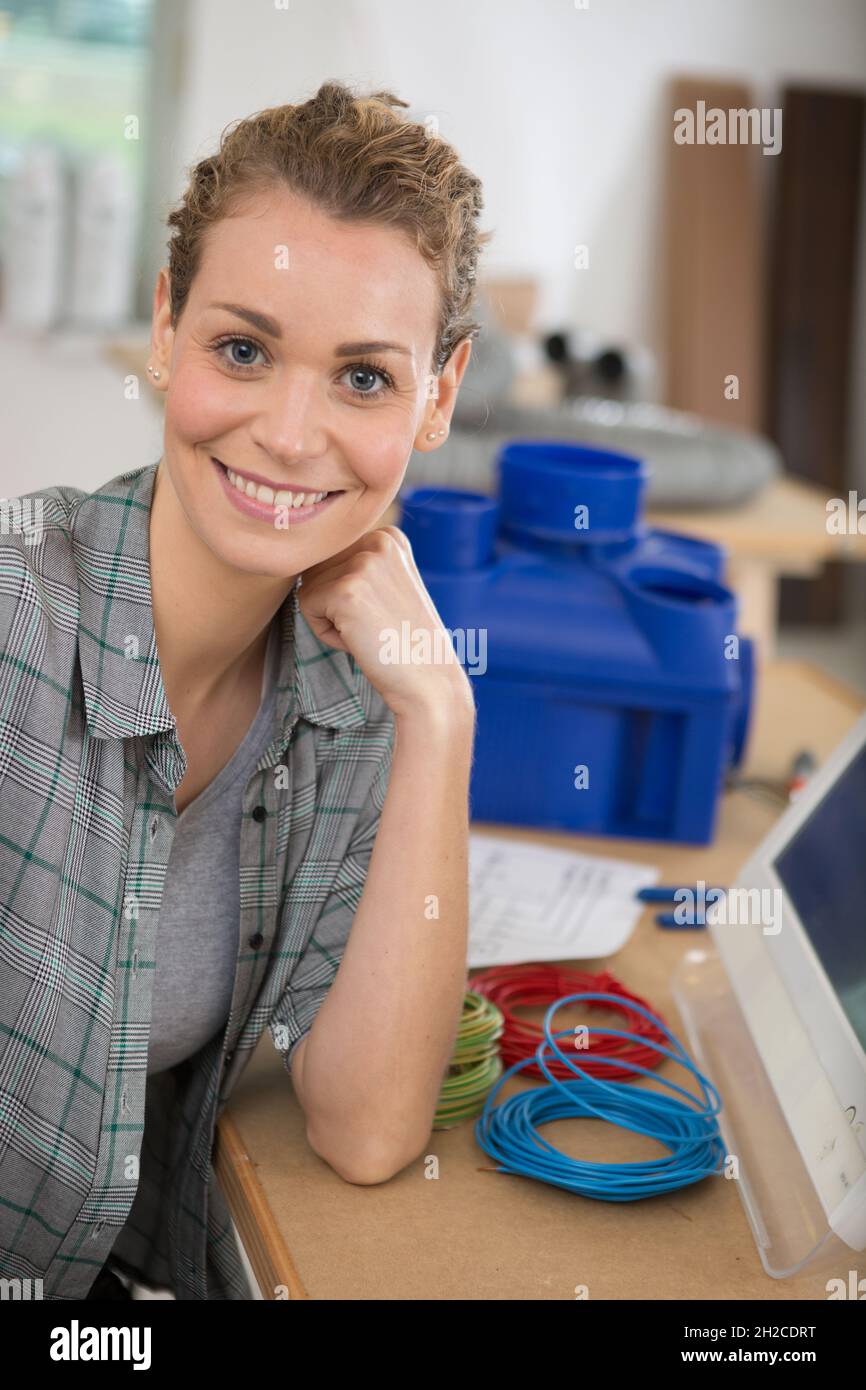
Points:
(558, 111)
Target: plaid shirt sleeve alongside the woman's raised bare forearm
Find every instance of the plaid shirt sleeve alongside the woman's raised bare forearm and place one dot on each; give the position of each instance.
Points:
(316, 971)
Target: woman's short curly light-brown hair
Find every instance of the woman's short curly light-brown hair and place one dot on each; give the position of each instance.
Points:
(358, 161)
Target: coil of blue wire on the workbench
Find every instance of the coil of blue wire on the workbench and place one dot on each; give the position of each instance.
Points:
(689, 1131)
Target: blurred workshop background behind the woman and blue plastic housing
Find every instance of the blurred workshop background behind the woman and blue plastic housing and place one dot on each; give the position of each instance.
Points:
(703, 306)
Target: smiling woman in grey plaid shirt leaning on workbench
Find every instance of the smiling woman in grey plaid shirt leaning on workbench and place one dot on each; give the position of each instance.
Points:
(201, 736)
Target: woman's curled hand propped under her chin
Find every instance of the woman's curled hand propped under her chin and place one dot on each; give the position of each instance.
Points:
(370, 601)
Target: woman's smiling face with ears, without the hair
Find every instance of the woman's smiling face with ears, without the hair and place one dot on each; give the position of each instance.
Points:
(268, 376)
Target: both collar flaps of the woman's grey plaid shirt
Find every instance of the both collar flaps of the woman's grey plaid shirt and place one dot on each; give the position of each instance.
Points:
(123, 685)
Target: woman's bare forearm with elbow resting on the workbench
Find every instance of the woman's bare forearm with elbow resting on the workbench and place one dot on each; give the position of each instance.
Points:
(376, 1056)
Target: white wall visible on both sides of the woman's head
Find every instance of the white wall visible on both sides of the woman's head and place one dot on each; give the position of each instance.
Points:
(557, 109)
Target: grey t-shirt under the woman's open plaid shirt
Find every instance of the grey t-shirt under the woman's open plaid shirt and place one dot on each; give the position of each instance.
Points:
(199, 921)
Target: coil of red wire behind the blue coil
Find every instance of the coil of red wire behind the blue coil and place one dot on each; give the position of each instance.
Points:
(515, 986)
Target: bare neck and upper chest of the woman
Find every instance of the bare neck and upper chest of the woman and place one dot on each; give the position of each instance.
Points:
(212, 622)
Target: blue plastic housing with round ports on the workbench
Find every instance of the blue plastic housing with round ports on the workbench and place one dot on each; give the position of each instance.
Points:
(612, 689)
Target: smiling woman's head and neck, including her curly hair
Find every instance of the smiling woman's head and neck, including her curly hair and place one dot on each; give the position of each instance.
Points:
(311, 330)
